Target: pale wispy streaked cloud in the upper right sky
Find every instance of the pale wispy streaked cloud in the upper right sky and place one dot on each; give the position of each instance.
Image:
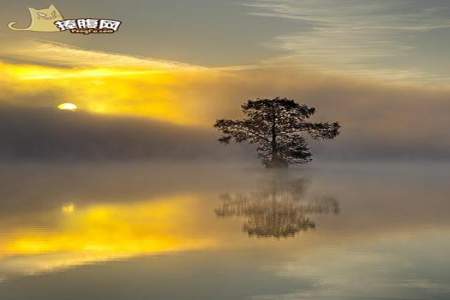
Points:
(372, 38)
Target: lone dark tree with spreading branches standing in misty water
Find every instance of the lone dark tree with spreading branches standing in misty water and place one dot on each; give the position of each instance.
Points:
(277, 126)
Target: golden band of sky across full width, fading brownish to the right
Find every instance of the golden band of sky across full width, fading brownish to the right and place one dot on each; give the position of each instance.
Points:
(116, 84)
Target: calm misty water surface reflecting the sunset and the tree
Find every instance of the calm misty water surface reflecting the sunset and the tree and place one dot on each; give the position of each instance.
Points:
(331, 231)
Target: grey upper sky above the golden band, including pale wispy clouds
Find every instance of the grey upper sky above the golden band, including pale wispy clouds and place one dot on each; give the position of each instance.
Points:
(400, 38)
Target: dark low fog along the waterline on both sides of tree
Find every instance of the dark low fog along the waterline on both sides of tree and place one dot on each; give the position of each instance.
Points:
(46, 134)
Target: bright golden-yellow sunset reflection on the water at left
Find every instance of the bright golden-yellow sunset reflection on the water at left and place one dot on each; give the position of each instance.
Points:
(79, 235)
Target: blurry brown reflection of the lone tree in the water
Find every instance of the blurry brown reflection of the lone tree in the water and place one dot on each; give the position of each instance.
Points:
(280, 208)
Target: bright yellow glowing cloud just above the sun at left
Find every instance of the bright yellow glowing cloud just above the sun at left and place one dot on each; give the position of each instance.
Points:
(100, 82)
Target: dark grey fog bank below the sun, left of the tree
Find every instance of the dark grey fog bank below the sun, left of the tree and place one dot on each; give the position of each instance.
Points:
(50, 134)
